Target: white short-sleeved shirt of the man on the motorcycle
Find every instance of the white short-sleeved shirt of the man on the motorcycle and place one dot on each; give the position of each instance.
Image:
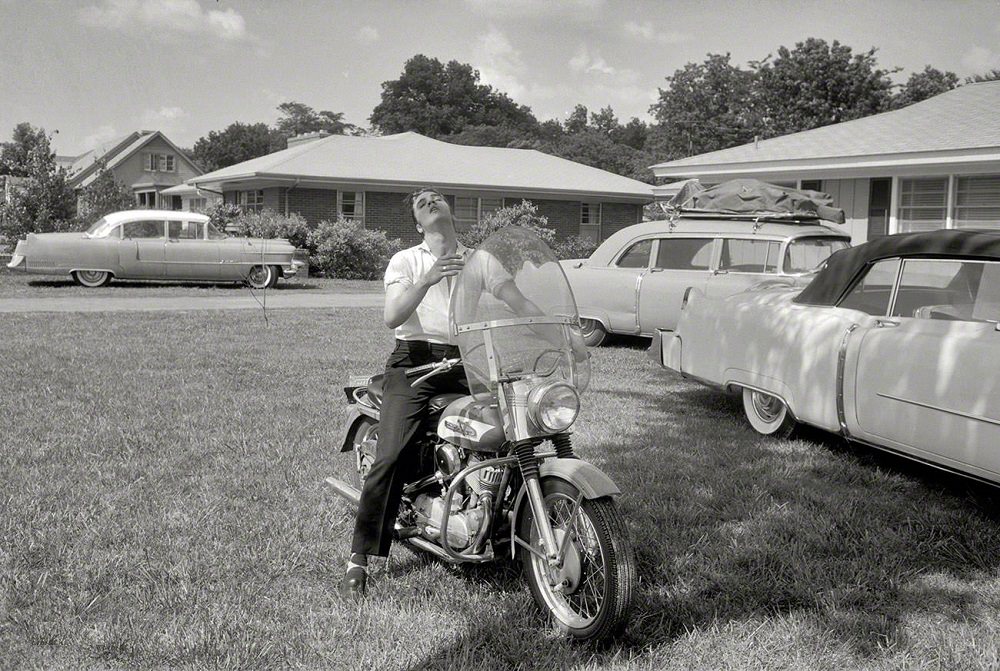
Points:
(430, 320)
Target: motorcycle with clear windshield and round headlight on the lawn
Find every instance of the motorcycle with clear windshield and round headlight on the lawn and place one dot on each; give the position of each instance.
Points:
(501, 477)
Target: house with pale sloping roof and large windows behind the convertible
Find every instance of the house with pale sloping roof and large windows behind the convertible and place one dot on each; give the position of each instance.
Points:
(933, 164)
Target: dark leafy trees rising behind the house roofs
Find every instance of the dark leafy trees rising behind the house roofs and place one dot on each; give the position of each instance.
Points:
(705, 106)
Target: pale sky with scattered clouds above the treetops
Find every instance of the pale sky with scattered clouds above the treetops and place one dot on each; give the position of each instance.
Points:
(92, 70)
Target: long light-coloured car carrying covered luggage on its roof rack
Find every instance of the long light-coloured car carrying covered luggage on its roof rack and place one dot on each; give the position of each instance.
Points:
(633, 283)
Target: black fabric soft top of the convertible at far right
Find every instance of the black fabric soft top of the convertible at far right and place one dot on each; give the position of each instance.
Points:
(843, 267)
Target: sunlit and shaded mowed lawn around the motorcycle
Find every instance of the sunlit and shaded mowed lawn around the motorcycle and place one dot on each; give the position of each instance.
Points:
(162, 505)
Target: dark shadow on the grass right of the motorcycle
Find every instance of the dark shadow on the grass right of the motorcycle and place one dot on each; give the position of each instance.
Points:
(730, 527)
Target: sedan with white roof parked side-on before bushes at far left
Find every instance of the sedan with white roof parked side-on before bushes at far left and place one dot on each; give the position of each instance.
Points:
(155, 245)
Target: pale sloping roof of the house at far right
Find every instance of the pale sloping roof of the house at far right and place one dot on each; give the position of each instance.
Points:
(961, 120)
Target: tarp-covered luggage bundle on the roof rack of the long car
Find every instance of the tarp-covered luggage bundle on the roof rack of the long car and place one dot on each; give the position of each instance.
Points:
(754, 200)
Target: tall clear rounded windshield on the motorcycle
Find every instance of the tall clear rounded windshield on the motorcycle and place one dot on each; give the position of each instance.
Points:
(514, 316)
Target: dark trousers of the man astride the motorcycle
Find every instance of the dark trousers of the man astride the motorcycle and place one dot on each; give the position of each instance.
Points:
(404, 411)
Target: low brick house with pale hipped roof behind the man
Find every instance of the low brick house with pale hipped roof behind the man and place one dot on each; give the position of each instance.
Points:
(367, 178)
